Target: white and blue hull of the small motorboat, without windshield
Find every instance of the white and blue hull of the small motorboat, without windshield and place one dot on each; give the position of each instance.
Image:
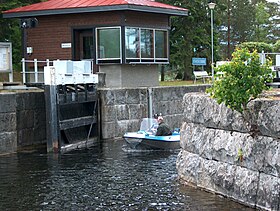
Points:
(142, 141)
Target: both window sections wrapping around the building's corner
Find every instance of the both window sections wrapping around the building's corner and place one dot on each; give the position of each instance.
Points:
(142, 45)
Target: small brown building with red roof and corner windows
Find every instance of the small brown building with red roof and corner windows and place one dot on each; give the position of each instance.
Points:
(126, 39)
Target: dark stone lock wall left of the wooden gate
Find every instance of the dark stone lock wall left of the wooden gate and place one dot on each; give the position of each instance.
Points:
(22, 120)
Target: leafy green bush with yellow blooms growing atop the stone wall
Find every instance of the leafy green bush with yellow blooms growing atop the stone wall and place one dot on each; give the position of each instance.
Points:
(244, 79)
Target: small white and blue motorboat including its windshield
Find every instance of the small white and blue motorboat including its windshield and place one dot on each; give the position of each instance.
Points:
(144, 139)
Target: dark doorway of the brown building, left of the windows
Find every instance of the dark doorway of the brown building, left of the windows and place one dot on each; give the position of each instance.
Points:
(83, 42)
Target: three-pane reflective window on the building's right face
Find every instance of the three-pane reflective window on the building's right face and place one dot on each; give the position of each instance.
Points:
(146, 45)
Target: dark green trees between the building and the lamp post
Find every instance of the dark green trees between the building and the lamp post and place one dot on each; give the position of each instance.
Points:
(189, 36)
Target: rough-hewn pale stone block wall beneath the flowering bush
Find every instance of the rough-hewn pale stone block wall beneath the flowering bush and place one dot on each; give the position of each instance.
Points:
(212, 138)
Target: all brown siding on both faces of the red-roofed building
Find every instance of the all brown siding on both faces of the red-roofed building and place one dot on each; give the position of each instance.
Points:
(52, 31)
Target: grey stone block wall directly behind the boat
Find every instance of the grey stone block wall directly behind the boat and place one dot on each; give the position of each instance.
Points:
(122, 109)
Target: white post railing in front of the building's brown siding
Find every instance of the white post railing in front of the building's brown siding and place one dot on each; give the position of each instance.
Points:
(34, 75)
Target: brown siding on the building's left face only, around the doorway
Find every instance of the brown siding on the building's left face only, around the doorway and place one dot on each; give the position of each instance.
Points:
(51, 31)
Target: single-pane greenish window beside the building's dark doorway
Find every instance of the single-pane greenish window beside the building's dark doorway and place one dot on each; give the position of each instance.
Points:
(108, 45)
